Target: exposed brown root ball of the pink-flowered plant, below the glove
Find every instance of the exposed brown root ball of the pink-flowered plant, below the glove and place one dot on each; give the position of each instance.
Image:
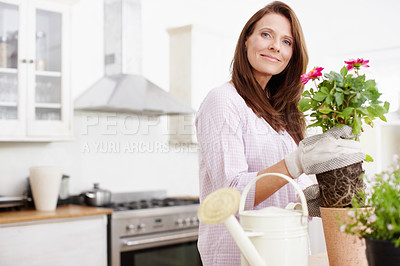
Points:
(337, 187)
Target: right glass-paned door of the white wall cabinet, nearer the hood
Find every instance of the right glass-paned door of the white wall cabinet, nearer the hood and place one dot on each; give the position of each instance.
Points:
(49, 110)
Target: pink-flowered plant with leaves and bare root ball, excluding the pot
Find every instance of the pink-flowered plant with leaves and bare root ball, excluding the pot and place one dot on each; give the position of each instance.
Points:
(342, 99)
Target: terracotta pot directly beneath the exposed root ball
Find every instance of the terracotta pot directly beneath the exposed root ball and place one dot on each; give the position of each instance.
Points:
(343, 249)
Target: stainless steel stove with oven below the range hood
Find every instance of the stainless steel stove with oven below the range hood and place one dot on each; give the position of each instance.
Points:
(149, 228)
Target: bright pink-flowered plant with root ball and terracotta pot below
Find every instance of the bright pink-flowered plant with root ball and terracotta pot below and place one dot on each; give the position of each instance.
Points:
(344, 98)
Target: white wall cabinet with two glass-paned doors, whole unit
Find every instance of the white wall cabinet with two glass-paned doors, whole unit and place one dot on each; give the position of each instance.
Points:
(35, 98)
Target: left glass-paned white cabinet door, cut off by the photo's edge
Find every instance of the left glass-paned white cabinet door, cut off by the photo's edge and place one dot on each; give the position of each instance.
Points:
(12, 90)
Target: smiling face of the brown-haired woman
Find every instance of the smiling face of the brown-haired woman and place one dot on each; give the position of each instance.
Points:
(269, 47)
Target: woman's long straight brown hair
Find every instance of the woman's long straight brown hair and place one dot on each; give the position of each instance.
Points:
(277, 103)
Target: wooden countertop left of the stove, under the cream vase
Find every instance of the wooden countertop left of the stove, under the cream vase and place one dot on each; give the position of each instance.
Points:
(68, 211)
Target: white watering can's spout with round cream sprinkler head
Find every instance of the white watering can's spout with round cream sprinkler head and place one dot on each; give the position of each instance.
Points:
(220, 206)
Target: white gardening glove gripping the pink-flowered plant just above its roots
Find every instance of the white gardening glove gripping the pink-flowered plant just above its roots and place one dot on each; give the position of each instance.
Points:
(325, 152)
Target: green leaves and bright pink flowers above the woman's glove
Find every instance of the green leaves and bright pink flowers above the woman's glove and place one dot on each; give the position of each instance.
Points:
(342, 98)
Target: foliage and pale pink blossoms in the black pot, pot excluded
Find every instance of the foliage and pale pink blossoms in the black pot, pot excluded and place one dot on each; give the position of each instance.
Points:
(381, 218)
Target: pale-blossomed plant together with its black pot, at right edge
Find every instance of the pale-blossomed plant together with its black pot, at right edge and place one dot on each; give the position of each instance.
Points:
(379, 224)
